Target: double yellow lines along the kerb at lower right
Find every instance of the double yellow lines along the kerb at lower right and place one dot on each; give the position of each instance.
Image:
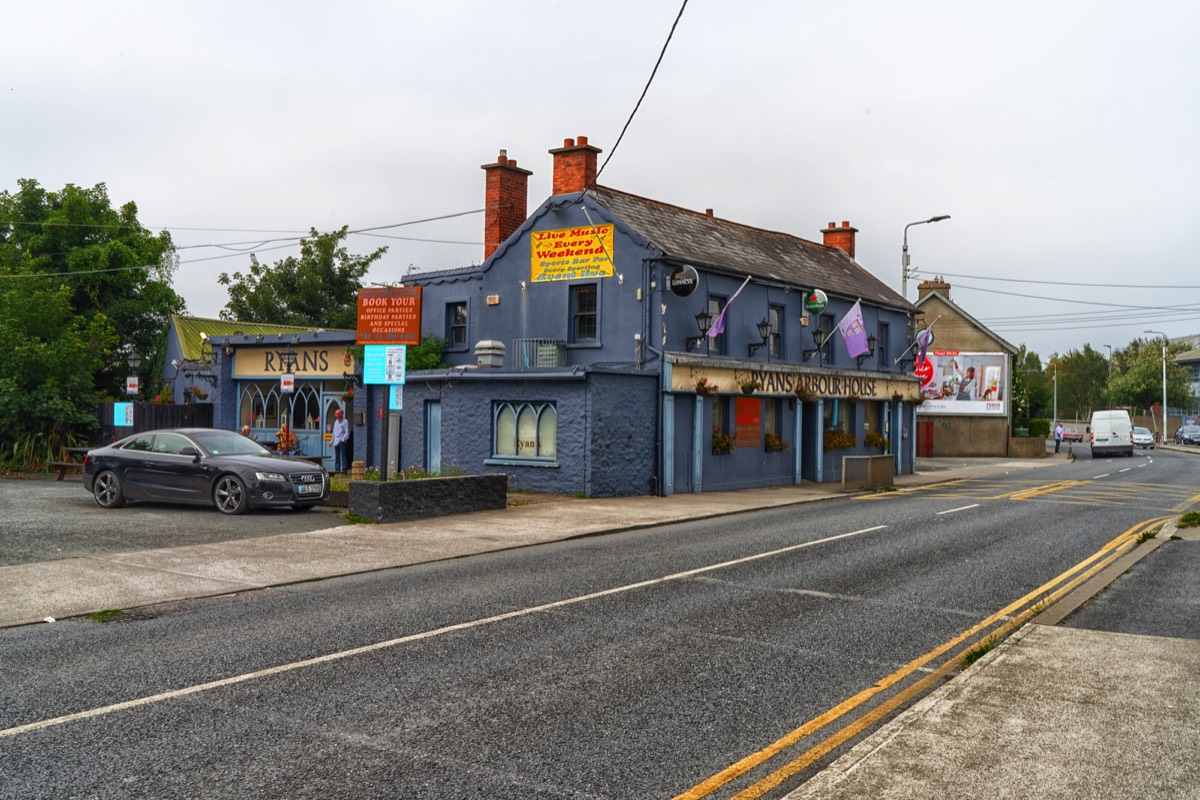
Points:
(1012, 617)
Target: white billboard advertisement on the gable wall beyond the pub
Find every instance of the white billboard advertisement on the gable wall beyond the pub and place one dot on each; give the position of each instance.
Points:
(964, 383)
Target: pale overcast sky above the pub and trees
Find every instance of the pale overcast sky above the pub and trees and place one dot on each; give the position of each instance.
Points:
(1061, 137)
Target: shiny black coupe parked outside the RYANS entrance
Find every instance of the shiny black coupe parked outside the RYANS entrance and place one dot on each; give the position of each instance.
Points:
(201, 467)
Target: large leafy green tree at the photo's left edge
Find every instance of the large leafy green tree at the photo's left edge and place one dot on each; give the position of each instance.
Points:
(82, 286)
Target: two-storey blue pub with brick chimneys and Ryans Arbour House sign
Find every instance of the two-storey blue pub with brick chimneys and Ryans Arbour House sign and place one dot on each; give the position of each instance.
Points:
(613, 346)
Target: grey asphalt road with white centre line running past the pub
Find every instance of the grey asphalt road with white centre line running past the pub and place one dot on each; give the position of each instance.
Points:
(635, 665)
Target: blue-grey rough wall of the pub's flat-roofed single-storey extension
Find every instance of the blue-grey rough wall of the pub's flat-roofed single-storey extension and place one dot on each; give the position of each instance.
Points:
(608, 428)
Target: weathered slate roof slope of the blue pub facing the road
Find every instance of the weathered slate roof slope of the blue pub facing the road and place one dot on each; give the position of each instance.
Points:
(740, 250)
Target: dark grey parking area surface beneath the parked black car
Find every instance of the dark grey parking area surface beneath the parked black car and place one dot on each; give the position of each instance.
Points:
(43, 520)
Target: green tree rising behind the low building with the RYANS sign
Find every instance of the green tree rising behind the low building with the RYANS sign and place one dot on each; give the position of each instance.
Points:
(320, 288)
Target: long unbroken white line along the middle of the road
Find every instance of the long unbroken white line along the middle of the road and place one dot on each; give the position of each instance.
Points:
(415, 637)
